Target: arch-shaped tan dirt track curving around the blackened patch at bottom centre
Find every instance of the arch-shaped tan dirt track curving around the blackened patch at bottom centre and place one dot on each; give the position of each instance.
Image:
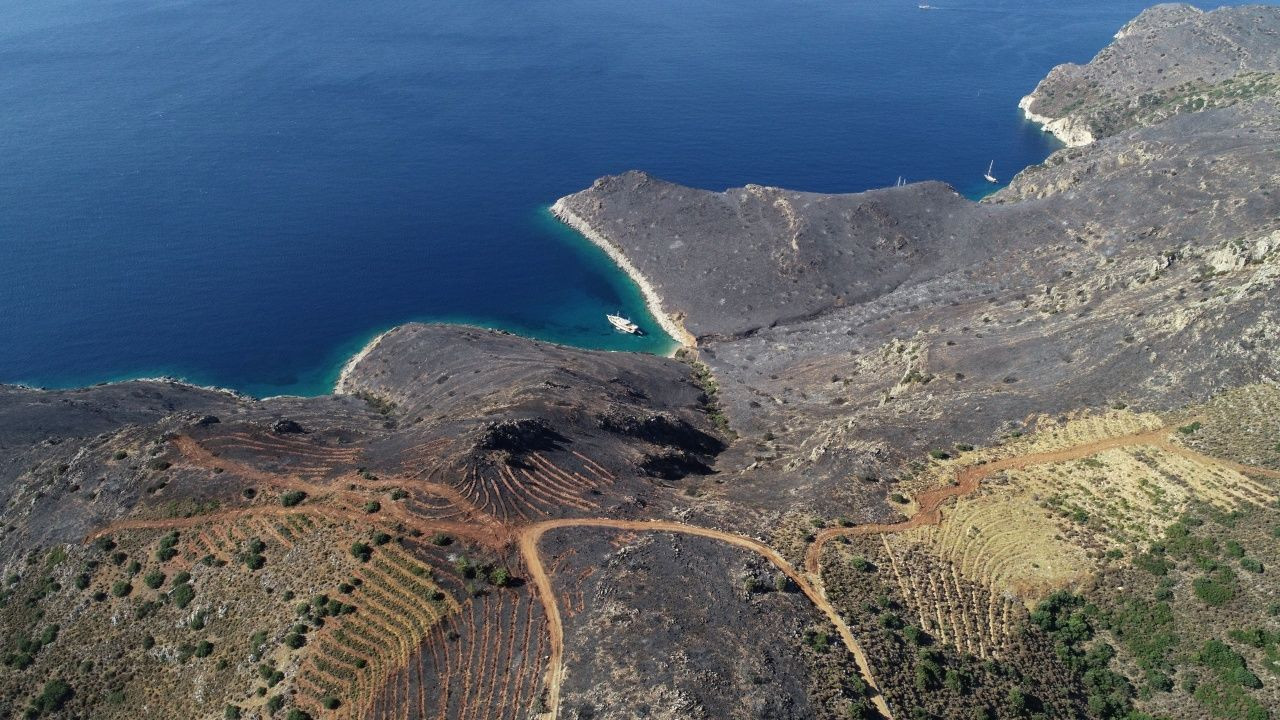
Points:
(531, 537)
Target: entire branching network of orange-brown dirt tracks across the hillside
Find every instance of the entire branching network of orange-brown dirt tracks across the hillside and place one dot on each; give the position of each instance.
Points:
(481, 527)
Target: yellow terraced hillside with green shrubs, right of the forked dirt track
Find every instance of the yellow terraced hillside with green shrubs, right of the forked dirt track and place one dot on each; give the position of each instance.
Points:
(1098, 517)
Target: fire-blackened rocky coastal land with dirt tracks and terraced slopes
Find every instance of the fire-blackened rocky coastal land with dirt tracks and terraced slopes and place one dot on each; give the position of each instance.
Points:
(918, 458)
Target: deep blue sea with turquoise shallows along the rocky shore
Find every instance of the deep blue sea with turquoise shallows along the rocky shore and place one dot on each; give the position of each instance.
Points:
(241, 193)
